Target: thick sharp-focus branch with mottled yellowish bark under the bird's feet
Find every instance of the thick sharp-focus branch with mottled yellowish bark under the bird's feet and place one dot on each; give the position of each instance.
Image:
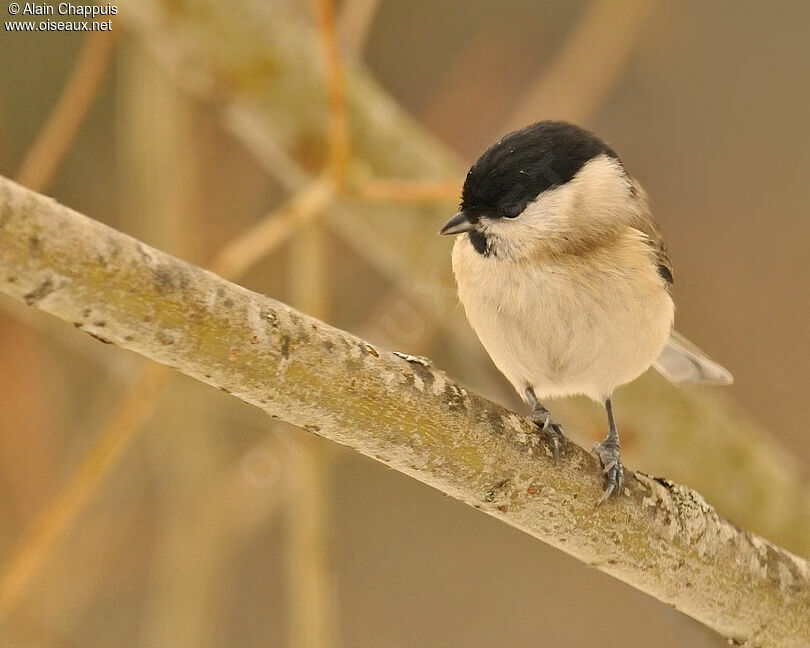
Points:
(660, 538)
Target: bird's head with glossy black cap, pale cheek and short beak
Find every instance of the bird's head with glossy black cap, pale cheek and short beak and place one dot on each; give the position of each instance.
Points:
(550, 186)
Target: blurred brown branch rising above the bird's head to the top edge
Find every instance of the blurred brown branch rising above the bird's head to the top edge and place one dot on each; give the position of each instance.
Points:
(587, 66)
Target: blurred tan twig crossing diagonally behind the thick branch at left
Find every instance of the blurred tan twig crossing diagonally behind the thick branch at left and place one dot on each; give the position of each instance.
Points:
(135, 407)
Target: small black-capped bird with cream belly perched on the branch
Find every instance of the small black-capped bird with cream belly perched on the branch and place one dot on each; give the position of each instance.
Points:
(564, 276)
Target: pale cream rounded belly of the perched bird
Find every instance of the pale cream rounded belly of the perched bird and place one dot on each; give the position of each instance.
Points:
(562, 333)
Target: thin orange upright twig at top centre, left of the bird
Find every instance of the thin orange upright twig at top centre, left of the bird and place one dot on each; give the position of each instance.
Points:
(336, 92)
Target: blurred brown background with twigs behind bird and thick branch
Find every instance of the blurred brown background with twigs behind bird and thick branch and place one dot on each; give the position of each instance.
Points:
(140, 508)
